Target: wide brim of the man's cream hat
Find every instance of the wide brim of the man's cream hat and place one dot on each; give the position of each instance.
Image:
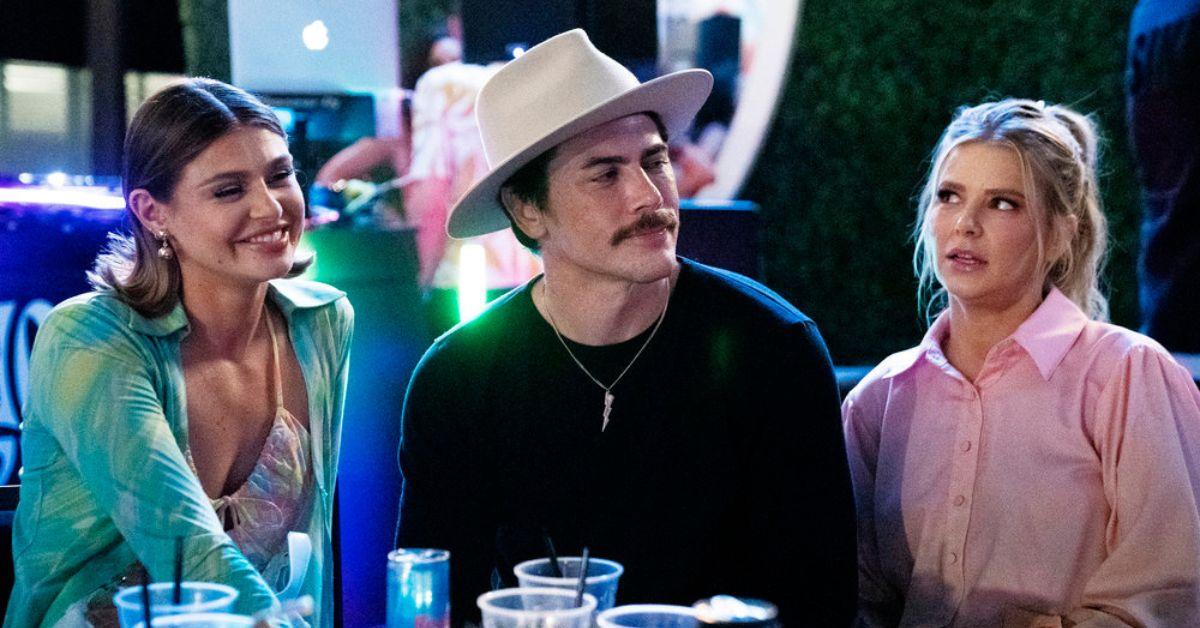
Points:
(676, 98)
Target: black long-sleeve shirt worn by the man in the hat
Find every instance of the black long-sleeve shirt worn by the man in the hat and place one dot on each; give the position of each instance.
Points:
(723, 469)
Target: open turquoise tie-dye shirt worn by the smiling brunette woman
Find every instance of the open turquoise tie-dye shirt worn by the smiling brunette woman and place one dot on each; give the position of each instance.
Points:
(105, 480)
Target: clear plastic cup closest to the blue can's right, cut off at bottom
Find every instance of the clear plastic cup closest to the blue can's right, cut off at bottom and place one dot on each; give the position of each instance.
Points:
(536, 608)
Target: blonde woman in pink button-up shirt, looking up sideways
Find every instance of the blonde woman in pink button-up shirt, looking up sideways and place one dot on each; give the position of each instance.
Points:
(1028, 464)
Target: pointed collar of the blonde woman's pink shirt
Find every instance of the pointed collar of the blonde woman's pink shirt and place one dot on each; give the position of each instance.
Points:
(1047, 336)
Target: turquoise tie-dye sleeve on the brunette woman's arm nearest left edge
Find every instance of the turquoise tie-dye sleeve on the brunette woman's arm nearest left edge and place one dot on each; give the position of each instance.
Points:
(98, 394)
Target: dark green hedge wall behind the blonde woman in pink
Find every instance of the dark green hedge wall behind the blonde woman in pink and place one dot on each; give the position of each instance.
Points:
(873, 83)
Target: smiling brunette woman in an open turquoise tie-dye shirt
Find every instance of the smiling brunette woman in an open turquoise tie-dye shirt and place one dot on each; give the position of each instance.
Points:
(197, 393)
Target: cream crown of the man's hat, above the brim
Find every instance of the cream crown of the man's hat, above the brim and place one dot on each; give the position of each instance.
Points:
(545, 89)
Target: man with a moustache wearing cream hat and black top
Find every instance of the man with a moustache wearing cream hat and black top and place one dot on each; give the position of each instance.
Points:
(680, 420)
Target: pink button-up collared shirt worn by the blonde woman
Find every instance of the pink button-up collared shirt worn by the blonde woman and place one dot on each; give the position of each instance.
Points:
(1060, 489)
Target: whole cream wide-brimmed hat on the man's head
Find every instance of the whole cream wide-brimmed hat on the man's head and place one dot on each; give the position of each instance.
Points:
(556, 91)
